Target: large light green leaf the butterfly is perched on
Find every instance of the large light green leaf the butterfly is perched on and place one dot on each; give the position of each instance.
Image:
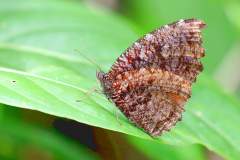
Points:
(40, 71)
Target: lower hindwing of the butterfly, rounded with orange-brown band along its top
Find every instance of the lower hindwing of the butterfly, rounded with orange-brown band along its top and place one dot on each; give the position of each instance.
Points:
(152, 98)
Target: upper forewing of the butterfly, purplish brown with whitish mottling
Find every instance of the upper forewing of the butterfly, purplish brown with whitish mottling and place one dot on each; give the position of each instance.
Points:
(175, 47)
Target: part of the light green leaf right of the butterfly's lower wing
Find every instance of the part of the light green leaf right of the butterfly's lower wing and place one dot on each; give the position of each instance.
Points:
(210, 119)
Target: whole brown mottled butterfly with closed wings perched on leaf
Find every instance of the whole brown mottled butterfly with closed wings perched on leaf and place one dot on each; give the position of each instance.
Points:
(150, 82)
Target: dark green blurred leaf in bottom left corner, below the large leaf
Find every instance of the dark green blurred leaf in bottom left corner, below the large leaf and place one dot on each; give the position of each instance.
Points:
(20, 140)
